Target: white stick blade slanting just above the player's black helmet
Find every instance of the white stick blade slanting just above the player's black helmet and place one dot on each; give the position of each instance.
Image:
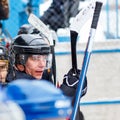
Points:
(38, 24)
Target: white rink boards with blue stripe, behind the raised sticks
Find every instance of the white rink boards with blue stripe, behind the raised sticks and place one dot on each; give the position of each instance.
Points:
(103, 77)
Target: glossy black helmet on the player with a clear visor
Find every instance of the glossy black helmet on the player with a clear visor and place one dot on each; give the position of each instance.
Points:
(29, 44)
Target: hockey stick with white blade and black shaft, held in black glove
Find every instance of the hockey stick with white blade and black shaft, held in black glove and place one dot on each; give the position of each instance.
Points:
(78, 22)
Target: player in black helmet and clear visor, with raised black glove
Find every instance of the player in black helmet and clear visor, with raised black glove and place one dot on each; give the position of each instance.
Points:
(30, 56)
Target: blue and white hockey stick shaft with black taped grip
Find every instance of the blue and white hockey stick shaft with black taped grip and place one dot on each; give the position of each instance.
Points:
(86, 59)
